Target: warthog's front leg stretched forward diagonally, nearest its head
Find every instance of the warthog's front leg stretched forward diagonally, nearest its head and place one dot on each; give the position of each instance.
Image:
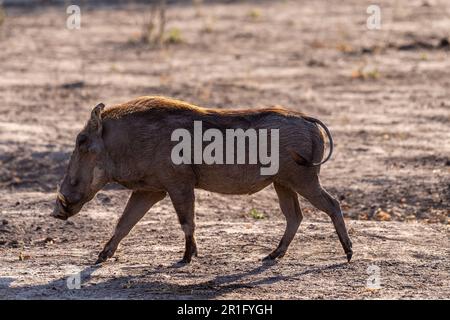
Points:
(138, 205)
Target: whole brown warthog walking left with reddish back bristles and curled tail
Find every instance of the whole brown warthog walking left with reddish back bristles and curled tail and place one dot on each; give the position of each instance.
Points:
(131, 144)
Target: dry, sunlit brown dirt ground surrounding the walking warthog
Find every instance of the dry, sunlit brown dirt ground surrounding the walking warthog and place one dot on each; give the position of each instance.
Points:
(383, 93)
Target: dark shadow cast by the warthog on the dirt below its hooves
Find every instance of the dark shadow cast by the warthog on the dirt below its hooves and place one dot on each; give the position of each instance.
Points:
(140, 287)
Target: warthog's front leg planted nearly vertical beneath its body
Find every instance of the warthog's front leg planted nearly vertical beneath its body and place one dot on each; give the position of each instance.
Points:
(183, 200)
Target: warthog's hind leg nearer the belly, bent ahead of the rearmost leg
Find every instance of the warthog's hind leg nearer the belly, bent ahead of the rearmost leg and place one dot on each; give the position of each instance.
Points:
(291, 209)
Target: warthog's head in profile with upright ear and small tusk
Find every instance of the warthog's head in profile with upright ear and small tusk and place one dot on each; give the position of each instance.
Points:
(86, 173)
